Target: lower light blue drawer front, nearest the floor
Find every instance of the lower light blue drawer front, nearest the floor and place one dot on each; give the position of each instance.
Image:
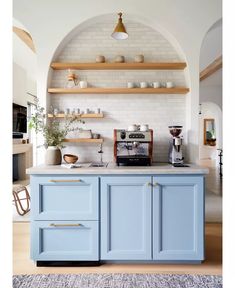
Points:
(64, 240)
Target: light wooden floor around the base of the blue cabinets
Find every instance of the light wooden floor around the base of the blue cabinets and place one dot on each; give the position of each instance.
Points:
(212, 265)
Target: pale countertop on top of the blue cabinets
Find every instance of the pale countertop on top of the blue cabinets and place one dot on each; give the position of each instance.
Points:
(112, 168)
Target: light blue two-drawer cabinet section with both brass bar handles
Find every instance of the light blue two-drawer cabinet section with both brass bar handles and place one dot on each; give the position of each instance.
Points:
(64, 218)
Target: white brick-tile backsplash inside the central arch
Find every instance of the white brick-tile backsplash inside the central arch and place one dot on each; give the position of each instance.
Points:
(93, 38)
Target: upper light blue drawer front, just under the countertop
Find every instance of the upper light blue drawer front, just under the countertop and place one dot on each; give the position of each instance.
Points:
(64, 198)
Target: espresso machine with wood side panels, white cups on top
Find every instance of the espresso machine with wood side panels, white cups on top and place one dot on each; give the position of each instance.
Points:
(133, 148)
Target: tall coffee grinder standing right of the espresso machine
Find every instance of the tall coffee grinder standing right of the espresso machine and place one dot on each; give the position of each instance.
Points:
(175, 151)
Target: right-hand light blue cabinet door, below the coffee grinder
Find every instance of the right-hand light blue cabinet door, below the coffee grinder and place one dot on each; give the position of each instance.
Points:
(178, 218)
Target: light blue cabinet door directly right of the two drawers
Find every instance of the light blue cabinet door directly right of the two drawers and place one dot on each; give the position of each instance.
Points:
(126, 218)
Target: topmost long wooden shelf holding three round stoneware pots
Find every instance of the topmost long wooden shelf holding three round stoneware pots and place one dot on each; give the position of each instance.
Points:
(120, 66)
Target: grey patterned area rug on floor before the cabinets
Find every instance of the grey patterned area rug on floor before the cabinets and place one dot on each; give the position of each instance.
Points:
(116, 281)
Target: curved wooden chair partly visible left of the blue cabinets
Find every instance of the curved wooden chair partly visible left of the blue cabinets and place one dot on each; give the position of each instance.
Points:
(17, 191)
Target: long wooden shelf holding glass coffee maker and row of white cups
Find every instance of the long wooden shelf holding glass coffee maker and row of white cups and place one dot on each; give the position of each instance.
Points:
(175, 90)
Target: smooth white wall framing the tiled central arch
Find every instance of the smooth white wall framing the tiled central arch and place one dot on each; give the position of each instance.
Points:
(50, 21)
